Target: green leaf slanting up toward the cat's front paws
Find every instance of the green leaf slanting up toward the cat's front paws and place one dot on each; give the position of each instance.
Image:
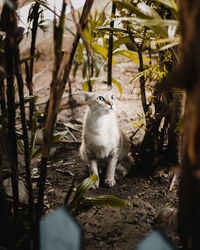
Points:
(82, 190)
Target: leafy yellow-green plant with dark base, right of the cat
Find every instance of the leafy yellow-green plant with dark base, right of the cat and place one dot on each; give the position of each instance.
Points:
(151, 28)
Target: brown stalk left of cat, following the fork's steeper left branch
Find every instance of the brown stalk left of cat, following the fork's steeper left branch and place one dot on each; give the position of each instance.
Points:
(49, 127)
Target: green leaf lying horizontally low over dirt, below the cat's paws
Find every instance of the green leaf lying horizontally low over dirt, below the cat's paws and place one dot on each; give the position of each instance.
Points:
(105, 200)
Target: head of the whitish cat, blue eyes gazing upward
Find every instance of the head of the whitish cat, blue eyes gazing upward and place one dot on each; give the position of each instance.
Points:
(102, 101)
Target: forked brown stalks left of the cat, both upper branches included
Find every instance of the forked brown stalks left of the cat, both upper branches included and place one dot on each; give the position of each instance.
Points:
(62, 67)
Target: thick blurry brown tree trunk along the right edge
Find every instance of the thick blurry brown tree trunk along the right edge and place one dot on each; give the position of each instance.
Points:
(189, 206)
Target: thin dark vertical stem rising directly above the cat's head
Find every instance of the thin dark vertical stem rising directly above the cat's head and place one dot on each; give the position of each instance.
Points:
(110, 48)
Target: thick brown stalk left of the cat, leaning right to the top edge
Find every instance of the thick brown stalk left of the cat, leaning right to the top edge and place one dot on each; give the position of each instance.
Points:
(59, 80)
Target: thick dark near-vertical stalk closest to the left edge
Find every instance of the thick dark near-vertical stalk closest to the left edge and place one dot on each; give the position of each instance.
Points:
(10, 49)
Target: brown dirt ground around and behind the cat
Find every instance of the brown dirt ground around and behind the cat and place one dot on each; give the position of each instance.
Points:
(103, 227)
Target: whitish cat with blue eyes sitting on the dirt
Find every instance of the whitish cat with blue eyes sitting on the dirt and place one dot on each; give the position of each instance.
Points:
(102, 138)
